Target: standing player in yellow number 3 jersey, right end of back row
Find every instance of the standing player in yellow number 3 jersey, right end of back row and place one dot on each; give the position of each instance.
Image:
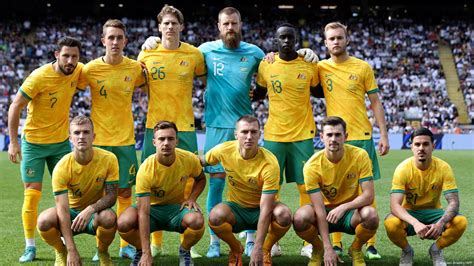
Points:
(346, 80)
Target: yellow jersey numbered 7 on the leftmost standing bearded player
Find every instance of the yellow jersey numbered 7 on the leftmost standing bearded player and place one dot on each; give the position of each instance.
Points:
(50, 95)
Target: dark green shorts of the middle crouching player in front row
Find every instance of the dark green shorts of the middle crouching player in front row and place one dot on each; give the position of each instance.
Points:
(245, 218)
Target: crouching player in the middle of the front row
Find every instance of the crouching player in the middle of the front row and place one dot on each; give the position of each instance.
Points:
(253, 178)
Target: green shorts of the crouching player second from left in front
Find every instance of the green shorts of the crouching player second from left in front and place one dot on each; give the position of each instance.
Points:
(167, 217)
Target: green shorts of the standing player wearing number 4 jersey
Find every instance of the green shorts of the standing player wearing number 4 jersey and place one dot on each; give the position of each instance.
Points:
(128, 164)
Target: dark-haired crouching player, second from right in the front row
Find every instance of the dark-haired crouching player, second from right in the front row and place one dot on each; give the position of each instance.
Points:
(333, 178)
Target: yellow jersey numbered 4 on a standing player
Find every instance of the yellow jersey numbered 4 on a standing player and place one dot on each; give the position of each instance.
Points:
(112, 89)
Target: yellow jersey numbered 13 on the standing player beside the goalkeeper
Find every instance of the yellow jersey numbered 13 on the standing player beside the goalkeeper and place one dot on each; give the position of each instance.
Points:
(290, 114)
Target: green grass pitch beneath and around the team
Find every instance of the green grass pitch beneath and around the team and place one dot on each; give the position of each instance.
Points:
(12, 243)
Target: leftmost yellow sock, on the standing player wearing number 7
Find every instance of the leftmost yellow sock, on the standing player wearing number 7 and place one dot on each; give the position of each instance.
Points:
(29, 212)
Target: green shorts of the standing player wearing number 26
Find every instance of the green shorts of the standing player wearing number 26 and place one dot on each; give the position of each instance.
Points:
(187, 140)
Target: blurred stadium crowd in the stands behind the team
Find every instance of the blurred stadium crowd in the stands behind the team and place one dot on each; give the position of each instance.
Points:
(402, 53)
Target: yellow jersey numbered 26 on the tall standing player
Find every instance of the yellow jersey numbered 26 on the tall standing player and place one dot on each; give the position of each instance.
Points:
(170, 82)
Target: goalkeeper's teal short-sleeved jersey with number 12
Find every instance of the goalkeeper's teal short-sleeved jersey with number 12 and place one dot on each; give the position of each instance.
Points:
(229, 75)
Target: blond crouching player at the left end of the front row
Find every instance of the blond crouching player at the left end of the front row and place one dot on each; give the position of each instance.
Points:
(85, 185)
